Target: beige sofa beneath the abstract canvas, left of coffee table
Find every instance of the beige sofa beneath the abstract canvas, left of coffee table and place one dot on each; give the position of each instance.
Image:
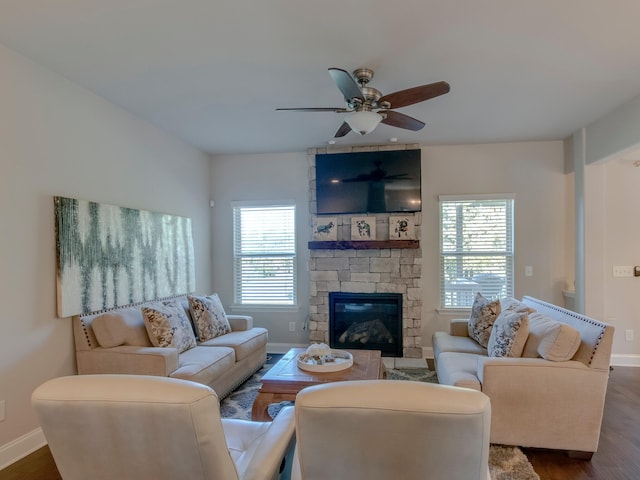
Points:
(121, 345)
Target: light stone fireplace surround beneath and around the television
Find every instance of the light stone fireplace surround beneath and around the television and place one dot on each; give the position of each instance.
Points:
(353, 267)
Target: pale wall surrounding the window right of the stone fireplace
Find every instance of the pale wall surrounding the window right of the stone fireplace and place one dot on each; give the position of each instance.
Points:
(535, 173)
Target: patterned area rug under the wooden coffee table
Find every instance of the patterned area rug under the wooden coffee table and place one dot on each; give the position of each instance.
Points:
(505, 462)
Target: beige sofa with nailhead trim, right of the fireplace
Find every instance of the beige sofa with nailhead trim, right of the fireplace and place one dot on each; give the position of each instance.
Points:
(536, 402)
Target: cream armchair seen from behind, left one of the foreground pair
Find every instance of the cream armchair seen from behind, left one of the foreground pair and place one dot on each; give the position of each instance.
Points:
(134, 427)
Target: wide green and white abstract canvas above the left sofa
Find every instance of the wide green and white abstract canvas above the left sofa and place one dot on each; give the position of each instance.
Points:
(109, 256)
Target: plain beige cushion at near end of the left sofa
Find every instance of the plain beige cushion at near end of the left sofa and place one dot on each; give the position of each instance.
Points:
(124, 327)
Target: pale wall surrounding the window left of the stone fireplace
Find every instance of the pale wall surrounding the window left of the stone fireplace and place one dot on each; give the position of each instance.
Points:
(261, 177)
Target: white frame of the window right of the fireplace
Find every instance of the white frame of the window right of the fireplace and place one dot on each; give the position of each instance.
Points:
(508, 254)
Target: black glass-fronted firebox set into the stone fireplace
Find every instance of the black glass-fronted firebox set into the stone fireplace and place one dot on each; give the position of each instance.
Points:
(368, 321)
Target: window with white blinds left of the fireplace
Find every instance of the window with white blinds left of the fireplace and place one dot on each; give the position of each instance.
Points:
(264, 249)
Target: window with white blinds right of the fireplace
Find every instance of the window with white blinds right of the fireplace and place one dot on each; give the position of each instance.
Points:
(476, 248)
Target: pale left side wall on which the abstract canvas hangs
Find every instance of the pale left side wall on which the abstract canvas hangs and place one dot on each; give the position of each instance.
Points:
(58, 139)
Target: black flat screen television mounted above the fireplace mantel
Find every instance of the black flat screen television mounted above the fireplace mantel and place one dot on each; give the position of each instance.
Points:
(368, 182)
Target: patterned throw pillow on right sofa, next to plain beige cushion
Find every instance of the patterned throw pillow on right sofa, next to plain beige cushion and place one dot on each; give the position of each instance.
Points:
(509, 334)
